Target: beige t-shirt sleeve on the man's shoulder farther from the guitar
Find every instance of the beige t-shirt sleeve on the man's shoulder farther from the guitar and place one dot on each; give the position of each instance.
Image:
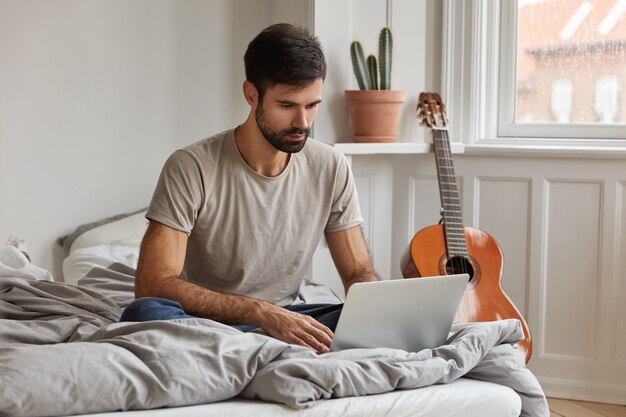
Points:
(178, 193)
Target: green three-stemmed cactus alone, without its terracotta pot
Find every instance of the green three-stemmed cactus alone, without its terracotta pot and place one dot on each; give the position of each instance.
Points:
(367, 73)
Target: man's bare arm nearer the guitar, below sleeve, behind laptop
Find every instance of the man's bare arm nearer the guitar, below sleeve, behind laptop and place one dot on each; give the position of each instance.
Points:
(351, 256)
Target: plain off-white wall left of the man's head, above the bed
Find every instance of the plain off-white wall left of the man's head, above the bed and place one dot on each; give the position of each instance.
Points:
(94, 95)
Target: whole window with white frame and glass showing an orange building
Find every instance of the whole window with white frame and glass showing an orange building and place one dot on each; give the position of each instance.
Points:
(536, 70)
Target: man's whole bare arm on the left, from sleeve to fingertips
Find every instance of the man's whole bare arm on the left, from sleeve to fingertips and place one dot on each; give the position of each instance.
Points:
(161, 261)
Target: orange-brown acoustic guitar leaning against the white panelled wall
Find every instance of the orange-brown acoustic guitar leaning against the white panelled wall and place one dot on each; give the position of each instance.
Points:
(452, 248)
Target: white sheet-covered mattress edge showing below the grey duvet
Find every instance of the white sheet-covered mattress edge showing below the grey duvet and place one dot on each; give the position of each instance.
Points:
(461, 398)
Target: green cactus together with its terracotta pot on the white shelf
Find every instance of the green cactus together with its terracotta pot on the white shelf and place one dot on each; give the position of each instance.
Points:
(374, 108)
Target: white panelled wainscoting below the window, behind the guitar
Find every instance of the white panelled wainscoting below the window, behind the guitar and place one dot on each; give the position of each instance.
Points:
(561, 223)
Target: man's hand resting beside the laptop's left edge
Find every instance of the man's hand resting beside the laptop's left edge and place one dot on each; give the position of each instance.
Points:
(296, 328)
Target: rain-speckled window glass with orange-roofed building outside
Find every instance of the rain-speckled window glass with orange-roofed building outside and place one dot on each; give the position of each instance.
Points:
(571, 61)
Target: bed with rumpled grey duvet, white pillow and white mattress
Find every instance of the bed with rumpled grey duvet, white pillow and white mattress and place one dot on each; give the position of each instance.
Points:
(62, 352)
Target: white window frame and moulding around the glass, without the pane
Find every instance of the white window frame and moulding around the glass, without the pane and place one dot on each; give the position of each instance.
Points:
(479, 86)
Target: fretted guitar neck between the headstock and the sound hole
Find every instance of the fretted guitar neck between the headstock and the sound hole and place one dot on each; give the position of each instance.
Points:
(448, 190)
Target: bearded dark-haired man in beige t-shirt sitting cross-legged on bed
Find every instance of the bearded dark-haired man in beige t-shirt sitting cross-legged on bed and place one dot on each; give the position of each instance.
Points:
(235, 219)
